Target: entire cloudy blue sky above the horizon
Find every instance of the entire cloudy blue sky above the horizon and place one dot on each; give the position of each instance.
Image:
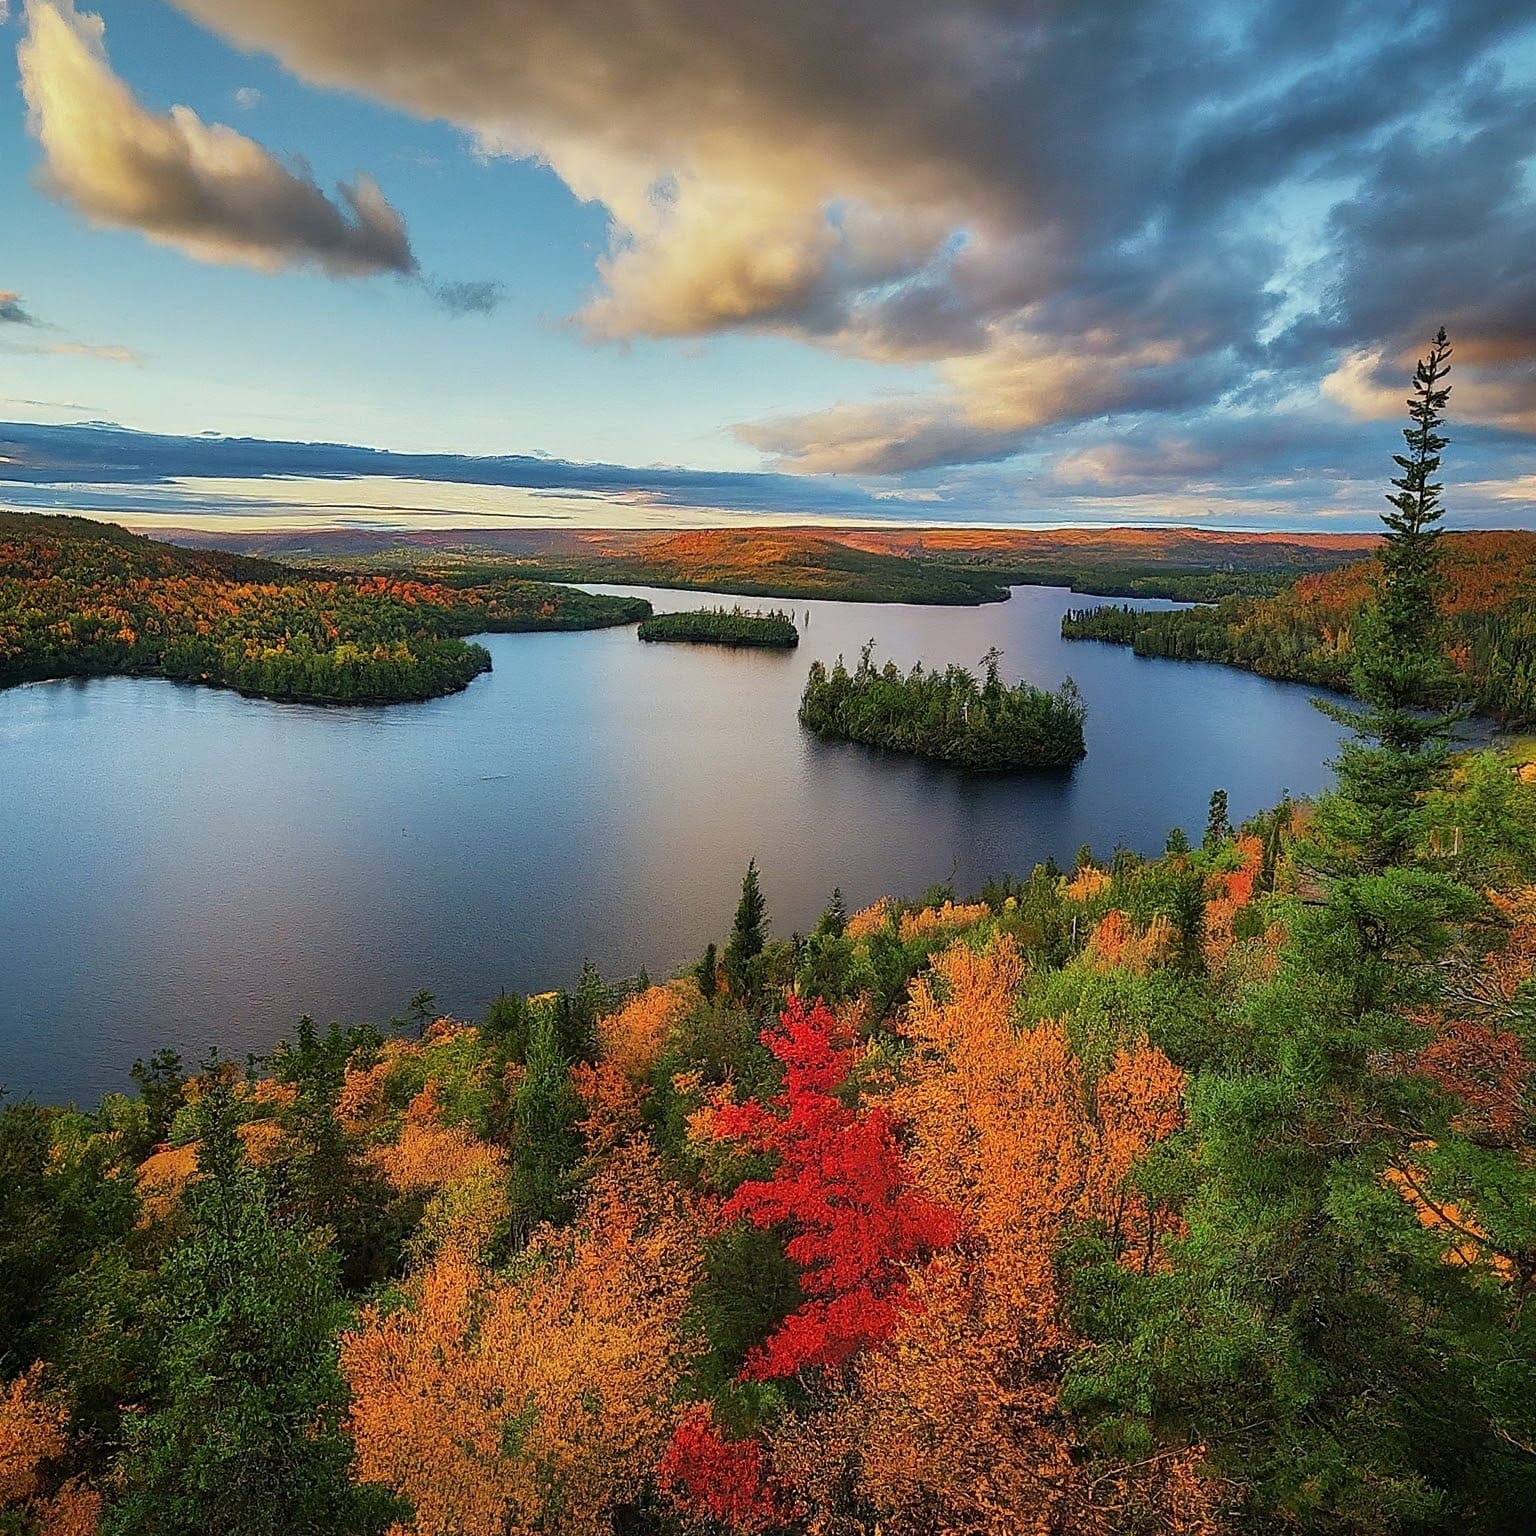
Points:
(712, 262)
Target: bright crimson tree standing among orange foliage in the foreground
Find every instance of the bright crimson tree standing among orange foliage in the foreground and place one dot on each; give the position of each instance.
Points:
(841, 1188)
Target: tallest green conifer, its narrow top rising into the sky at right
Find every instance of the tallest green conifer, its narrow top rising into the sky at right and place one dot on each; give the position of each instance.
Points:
(1308, 1326)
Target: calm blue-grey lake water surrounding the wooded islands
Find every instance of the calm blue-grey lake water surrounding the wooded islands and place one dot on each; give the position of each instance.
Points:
(187, 867)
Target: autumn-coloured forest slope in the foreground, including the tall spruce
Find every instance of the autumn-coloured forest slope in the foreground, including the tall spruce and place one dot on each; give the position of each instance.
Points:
(1190, 1196)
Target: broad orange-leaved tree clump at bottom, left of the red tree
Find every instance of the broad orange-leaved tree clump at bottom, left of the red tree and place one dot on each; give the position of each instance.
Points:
(502, 1406)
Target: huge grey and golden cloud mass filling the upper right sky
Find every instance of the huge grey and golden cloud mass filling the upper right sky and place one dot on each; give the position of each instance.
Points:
(1064, 210)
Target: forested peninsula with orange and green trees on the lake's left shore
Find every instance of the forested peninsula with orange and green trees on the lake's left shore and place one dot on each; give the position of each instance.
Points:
(82, 598)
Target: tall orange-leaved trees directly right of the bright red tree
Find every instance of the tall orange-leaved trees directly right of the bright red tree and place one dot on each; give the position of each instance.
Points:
(955, 1423)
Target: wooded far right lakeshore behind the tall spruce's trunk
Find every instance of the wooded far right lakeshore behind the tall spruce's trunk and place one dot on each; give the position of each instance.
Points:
(1308, 632)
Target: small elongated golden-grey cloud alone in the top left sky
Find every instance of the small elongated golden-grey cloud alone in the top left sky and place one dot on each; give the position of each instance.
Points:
(204, 190)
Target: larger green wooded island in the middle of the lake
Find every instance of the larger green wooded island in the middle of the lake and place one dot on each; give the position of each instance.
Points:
(947, 715)
